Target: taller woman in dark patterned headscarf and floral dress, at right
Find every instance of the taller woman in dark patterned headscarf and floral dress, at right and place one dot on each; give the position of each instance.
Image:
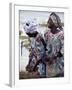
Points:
(54, 39)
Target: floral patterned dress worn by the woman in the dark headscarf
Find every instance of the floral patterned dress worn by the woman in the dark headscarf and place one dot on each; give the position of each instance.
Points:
(55, 50)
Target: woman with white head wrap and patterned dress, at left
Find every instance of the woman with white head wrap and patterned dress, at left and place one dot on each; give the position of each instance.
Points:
(37, 48)
